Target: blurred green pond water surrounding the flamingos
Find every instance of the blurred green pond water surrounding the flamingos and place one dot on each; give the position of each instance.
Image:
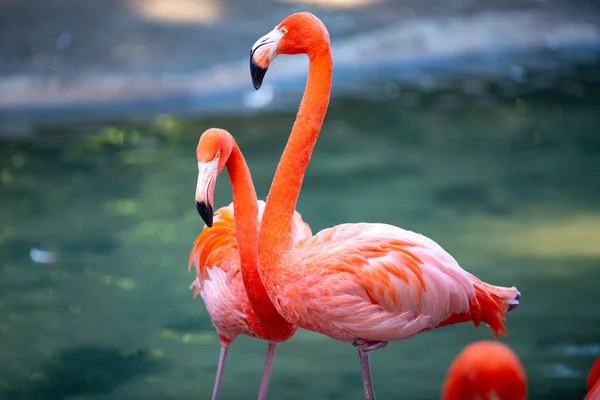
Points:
(510, 189)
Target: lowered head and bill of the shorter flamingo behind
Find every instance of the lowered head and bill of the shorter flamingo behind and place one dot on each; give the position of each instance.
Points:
(214, 148)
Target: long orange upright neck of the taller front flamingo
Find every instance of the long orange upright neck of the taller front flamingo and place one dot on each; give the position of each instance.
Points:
(276, 227)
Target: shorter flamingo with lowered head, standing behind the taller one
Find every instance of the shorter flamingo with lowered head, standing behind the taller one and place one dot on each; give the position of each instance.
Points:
(230, 238)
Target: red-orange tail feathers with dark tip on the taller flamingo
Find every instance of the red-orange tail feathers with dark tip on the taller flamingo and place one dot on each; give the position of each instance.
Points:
(490, 305)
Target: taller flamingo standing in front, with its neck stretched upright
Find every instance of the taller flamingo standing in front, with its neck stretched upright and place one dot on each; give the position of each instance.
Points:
(363, 283)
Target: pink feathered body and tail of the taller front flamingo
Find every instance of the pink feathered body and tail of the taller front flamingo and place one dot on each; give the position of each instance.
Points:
(378, 282)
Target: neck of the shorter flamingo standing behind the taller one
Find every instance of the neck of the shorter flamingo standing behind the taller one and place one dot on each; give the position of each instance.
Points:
(263, 318)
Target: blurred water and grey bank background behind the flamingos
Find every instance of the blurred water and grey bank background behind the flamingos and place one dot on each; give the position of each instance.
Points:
(475, 123)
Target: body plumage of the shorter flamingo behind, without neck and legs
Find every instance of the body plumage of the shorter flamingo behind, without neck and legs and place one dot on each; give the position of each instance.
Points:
(218, 279)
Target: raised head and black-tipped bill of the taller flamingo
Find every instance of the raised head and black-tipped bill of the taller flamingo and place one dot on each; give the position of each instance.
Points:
(299, 33)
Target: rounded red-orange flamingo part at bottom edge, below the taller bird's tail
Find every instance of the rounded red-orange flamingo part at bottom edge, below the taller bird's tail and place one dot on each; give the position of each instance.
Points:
(486, 370)
